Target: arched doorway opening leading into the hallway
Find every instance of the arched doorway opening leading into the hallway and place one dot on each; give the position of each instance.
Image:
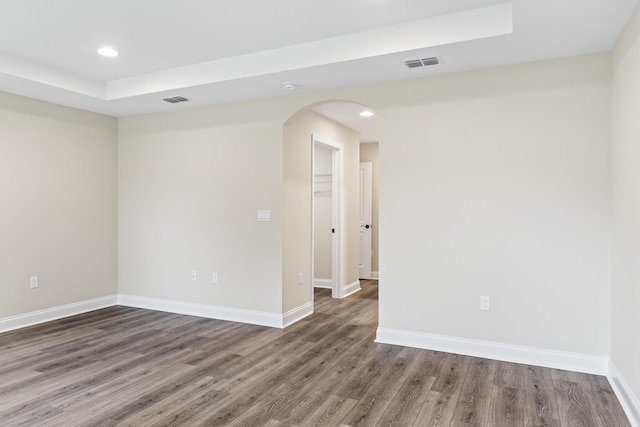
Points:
(331, 130)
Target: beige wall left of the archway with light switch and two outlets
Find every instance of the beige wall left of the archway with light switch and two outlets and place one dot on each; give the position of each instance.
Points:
(190, 186)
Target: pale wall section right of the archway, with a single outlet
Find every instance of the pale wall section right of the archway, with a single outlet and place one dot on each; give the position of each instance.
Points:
(498, 184)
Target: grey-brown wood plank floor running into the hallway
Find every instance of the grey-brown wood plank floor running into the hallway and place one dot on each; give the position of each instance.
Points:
(132, 367)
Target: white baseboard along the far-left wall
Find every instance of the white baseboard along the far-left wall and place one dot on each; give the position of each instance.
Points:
(54, 313)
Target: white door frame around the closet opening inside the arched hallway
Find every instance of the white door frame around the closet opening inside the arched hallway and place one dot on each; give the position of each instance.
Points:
(337, 163)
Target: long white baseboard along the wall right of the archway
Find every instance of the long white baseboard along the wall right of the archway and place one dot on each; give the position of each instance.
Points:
(498, 351)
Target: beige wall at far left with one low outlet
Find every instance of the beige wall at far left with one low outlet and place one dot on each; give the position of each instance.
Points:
(58, 198)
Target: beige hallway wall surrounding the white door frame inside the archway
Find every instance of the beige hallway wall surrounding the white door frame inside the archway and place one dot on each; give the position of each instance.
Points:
(297, 202)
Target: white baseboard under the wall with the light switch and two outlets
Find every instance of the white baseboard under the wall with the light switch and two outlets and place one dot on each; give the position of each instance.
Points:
(210, 311)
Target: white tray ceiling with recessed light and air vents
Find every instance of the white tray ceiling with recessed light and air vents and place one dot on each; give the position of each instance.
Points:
(217, 51)
